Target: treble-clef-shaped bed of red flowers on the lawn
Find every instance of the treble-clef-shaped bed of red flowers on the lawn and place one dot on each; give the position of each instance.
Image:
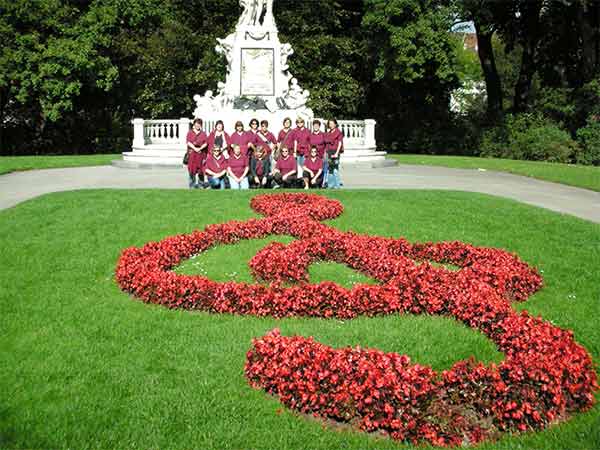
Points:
(545, 376)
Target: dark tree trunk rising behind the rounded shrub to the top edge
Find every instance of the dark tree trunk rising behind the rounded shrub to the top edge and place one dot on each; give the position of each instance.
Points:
(530, 16)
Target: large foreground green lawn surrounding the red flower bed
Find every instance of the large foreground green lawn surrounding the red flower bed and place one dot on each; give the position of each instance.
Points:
(86, 366)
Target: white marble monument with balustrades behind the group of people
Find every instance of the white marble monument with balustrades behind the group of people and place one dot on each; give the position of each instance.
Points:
(258, 85)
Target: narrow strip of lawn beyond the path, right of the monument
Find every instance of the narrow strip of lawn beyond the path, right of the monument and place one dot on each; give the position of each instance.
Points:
(587, 177)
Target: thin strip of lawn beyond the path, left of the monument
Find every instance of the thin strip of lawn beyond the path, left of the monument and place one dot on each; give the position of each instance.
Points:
(17, 163)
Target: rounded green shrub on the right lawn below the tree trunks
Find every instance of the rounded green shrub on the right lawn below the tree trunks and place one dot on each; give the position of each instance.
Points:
(529, 137)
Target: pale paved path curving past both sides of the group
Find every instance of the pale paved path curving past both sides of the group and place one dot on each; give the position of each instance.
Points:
(20, 186)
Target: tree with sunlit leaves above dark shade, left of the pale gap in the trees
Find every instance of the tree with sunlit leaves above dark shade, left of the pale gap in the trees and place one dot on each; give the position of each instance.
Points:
(413, 63)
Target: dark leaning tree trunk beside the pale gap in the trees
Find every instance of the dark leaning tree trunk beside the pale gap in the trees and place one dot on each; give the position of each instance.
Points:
(493, 83)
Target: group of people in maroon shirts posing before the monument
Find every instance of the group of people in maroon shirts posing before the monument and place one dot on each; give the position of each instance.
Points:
(255, 158)
